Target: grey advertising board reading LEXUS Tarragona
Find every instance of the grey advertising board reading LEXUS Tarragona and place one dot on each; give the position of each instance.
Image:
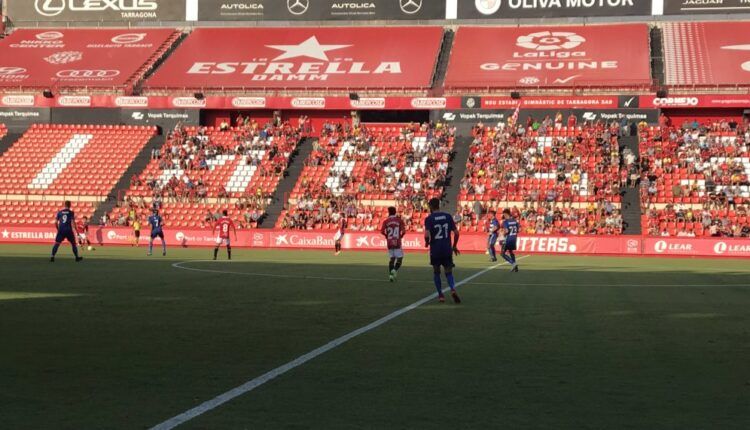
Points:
(113, 11)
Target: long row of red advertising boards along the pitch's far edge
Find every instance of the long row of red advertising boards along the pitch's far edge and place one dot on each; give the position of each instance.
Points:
(373, 241)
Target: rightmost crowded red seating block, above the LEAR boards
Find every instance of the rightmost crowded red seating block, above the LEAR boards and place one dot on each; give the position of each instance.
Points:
(695, 180)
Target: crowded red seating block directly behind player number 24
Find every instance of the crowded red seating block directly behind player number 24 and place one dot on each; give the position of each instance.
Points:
(359, 172)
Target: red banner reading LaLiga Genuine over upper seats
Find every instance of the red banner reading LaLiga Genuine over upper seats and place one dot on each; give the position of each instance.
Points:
(518, 57)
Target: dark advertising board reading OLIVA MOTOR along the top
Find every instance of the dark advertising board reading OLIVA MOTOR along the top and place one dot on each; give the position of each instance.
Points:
(514, 9)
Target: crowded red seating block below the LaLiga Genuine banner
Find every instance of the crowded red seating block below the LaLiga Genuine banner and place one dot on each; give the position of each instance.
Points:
(558, 179)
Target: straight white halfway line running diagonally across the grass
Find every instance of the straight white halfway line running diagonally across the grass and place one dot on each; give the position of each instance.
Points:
(266, 377)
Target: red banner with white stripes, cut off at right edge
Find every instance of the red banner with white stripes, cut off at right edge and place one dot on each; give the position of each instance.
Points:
(707, 53)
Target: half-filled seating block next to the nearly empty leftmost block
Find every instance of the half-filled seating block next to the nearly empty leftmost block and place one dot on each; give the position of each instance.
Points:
(206, 169)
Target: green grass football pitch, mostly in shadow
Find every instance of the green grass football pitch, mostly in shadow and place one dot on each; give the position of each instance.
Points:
(125, 341)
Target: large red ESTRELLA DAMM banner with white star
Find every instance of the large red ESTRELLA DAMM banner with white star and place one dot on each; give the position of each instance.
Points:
(299, 58)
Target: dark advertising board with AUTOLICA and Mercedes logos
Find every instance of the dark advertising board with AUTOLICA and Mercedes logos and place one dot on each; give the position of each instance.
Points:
(319, 10)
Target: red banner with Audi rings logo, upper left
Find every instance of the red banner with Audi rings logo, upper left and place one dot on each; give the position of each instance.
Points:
(76, 58)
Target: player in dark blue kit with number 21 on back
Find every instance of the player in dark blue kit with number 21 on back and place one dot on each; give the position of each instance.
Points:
(438, 229)
